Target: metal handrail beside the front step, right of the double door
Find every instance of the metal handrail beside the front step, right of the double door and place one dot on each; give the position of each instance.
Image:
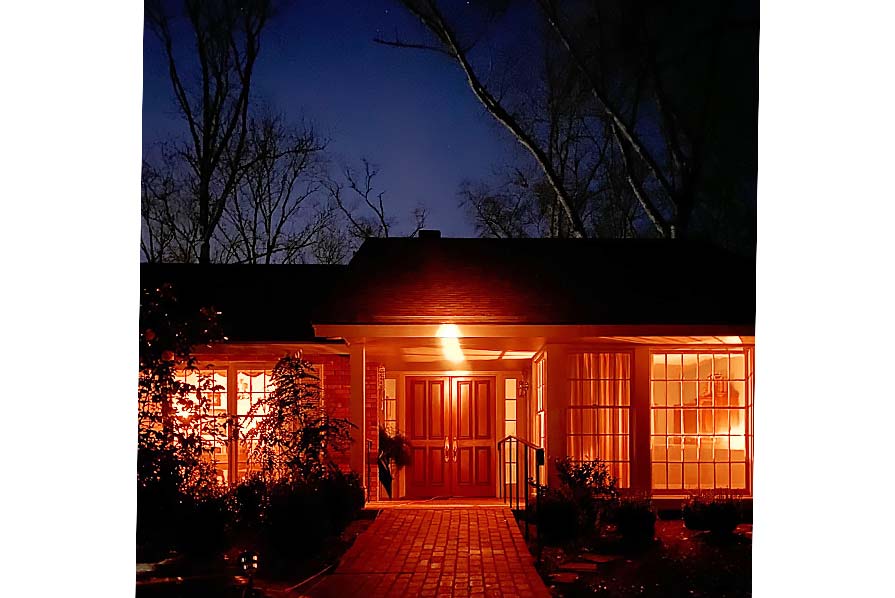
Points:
(519, 474)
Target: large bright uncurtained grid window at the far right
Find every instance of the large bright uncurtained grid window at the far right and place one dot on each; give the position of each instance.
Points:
(701, 420)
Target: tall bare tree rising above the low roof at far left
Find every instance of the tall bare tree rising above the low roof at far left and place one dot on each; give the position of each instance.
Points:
(213, 98)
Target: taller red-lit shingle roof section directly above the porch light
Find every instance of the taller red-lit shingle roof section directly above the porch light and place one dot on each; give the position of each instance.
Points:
(543, 281)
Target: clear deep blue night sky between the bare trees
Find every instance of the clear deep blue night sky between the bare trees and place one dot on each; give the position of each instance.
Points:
(409, 112)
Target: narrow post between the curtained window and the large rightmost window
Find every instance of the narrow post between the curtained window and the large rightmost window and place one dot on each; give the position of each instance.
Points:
(641, 459)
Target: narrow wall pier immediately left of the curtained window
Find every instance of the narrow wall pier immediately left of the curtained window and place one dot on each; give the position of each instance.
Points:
(556, 400)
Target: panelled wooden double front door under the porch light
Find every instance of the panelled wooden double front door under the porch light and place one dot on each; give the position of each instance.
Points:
(450, 424)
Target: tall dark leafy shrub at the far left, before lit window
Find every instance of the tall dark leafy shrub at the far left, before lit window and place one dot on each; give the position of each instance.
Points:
(175, 481)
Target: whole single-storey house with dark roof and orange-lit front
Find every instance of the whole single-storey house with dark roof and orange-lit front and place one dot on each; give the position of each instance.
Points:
(482, 351)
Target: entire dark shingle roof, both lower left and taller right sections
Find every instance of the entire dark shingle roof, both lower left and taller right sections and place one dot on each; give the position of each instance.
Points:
(487, 281)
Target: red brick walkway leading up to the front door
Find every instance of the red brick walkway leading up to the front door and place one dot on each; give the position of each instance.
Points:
(436, 552)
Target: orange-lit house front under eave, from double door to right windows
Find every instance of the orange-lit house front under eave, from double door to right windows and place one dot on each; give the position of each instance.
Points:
(671, 415)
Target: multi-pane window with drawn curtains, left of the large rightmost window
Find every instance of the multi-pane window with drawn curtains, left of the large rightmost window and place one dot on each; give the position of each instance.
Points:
(599, 411)
